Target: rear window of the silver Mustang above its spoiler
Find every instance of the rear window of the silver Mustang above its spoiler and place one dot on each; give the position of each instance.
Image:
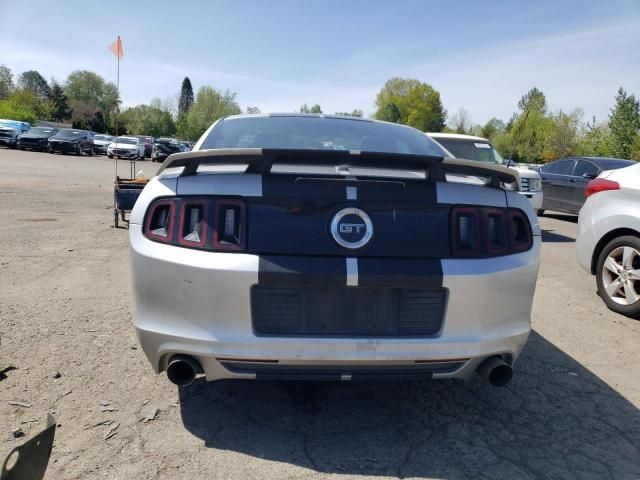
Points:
(319, 133)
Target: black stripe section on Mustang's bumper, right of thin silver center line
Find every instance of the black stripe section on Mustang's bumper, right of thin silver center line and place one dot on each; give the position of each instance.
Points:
(425, 273)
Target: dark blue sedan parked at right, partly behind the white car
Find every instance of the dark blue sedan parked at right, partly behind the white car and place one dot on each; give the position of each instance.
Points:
(565, 181)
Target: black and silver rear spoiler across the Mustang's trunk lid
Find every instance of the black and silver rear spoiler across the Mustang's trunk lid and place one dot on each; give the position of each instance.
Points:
(261, 160)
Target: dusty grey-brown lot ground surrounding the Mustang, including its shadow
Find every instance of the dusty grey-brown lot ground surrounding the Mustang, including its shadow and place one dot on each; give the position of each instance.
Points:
(570, 412)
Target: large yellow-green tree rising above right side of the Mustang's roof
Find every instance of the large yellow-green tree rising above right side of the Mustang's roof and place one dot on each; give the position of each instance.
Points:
(417, 103)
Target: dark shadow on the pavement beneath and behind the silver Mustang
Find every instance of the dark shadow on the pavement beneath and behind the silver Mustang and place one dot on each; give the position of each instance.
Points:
(554, 420)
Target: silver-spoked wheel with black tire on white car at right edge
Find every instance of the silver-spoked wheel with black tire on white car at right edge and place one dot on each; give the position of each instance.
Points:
(618, 275)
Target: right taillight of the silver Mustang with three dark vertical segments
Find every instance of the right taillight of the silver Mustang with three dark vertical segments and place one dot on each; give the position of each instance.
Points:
(489, 232)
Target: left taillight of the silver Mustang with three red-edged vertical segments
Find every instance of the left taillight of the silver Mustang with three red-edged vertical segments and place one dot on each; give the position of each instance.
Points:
(206, 223)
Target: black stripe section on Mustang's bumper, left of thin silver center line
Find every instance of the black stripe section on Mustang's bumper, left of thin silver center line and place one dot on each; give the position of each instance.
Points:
(290, 271)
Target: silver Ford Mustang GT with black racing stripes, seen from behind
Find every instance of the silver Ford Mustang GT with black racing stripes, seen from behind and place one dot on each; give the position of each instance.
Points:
(326, 247)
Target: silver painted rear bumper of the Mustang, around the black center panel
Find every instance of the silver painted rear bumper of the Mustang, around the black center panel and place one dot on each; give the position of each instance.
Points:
(198, 303)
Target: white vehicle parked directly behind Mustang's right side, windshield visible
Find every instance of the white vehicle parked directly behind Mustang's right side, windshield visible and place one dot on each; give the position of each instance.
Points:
(480, 149)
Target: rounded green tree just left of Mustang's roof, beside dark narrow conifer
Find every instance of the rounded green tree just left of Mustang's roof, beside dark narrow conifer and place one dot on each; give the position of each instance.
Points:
(210, 104)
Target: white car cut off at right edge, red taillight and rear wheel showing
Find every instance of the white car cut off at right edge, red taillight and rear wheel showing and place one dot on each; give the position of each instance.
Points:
(608, 243)
